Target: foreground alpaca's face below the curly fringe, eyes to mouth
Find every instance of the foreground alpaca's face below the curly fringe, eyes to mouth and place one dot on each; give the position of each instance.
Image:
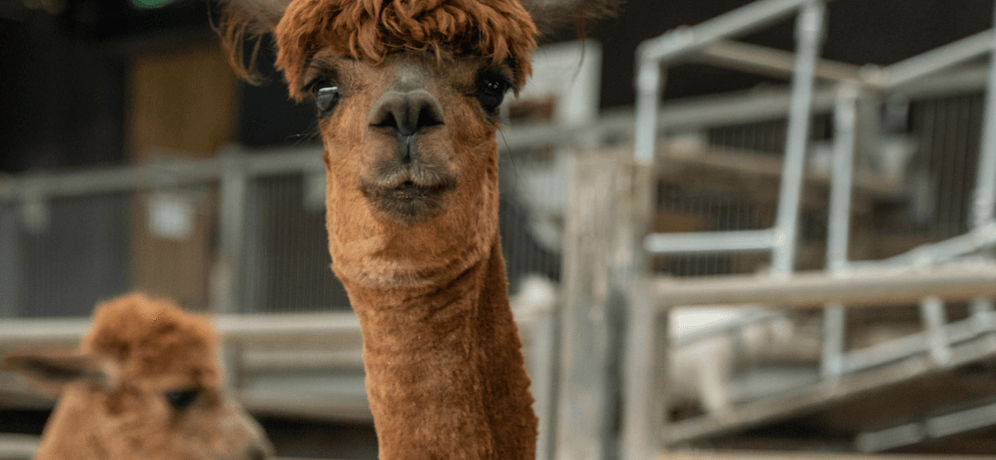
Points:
(397, 126)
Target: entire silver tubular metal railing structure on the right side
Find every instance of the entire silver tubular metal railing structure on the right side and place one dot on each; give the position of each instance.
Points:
(844, 283)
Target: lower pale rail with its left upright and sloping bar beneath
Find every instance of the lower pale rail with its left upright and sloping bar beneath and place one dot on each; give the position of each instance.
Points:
(646, 431)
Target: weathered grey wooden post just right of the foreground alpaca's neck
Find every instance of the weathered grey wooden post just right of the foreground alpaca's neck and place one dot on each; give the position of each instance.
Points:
(608, 206)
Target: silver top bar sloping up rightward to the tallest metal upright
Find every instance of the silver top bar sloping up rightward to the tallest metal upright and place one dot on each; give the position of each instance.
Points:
(738, 22)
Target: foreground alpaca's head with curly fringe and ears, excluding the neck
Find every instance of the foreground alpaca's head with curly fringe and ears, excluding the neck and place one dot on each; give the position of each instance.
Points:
(407, 95)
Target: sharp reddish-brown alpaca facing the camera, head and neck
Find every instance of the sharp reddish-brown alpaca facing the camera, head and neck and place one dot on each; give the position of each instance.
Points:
(407, 93)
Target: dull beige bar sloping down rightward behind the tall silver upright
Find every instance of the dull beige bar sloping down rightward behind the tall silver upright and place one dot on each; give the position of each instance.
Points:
(762, 59)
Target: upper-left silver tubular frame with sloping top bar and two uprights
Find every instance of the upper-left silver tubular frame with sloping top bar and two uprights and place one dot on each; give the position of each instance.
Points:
(664, 50)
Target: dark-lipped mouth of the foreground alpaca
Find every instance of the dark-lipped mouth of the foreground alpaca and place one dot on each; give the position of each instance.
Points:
(408, 201)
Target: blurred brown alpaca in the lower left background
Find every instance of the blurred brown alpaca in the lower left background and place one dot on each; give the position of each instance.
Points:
(144, 383)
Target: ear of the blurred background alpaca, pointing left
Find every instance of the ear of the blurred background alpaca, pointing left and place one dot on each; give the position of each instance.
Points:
(50, 371)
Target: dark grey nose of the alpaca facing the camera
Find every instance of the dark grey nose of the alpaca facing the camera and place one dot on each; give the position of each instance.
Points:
(407, 113)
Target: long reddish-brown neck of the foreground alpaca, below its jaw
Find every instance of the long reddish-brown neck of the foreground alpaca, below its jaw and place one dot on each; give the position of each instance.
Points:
(445, 373)
